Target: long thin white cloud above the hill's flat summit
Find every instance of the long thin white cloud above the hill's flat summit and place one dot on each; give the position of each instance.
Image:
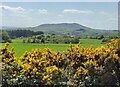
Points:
(77, 11)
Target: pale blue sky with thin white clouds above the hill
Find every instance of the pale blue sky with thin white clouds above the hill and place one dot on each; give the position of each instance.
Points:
(97, 15)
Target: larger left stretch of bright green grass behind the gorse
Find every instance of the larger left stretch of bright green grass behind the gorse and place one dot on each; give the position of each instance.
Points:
(21, 48)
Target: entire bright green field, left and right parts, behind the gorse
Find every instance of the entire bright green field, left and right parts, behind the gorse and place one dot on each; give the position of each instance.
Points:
(20, 47)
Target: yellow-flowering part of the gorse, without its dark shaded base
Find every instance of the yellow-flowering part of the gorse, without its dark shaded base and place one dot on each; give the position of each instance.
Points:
(74, 64)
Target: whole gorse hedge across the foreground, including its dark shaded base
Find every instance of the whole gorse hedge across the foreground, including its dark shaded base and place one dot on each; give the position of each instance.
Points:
(75, 67)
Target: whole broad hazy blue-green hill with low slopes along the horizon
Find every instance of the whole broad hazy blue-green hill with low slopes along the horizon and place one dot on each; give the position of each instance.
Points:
(72, 28)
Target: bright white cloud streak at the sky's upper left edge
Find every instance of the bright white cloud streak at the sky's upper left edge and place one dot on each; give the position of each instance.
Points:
(12, 9)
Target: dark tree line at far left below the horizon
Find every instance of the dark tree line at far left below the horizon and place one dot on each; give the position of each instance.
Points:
(7, 35)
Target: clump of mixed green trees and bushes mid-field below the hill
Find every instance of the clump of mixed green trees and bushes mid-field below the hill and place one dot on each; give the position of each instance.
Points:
(52, 38)
